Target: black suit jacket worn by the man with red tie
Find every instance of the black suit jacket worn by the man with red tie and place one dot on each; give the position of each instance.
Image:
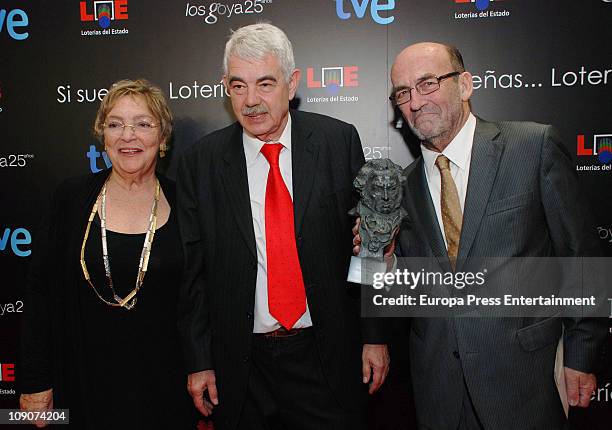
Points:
(221, 263)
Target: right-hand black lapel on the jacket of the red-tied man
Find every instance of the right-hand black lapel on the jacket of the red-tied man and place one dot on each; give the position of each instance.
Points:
(304, 154)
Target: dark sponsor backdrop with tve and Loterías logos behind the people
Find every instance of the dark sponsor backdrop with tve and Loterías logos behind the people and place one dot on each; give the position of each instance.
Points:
(548, 61)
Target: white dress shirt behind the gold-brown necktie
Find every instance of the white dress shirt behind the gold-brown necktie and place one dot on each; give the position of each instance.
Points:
(459, 152)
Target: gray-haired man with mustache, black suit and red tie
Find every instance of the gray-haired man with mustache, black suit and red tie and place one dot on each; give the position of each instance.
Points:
(271, 330)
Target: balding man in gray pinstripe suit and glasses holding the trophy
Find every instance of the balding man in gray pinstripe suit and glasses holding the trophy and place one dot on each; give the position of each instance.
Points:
(484, 189)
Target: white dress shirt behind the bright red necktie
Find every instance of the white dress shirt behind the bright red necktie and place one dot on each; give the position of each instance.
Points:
(257, 174)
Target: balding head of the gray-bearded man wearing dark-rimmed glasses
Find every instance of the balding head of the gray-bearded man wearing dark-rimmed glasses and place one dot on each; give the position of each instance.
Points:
(437, 116)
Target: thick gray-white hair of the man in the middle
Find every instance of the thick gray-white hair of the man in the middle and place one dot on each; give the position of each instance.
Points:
(255, 42)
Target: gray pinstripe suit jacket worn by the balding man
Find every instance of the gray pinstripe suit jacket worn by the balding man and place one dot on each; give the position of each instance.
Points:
(522, 200)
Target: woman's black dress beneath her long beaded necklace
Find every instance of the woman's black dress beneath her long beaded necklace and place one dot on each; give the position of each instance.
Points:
(132, 359)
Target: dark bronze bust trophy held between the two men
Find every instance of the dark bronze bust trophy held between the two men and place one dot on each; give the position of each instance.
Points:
(379, 183)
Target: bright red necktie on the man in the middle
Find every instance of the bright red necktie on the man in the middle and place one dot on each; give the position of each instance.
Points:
(286, 294)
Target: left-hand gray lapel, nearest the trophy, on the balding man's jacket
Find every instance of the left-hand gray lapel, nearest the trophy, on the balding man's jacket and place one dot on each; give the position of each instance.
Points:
(426, 213)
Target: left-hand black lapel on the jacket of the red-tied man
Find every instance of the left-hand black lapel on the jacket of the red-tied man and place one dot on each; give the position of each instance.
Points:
(234, 177)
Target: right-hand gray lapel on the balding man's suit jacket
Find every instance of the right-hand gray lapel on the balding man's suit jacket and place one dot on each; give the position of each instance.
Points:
(486, 153)
